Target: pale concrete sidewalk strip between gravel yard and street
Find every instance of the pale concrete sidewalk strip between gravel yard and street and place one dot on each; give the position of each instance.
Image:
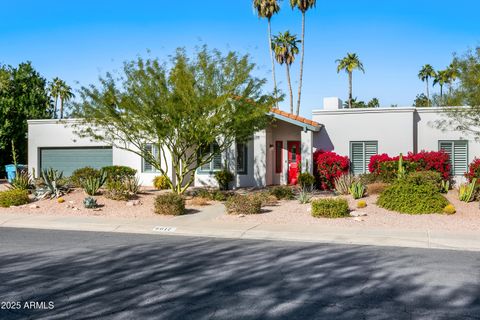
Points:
(205, 224)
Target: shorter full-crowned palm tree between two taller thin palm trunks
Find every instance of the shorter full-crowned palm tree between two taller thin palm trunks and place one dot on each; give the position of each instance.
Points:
(285, 47)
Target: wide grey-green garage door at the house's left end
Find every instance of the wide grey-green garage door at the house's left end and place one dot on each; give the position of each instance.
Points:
(70, 159)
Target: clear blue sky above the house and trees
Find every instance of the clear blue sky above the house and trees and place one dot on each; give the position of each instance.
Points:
(78, 40)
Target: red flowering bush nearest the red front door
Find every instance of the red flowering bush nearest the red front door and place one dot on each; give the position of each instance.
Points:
(328, 166)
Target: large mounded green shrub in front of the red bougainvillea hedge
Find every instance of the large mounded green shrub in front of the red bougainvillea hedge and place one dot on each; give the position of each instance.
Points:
(407, 197)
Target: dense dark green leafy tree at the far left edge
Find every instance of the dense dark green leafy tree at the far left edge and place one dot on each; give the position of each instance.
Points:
(23, 95)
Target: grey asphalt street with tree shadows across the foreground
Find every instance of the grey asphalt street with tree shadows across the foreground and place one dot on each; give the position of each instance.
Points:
(91, 275)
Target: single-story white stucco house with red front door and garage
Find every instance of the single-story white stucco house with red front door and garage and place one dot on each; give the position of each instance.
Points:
(275, 155)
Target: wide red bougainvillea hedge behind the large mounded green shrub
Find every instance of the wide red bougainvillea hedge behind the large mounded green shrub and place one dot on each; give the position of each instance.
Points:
(385, 166)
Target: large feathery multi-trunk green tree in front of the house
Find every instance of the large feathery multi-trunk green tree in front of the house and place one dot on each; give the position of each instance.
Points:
(183, 107)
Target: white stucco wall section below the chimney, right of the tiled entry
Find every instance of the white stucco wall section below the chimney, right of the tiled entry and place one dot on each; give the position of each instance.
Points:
(392, 128)
